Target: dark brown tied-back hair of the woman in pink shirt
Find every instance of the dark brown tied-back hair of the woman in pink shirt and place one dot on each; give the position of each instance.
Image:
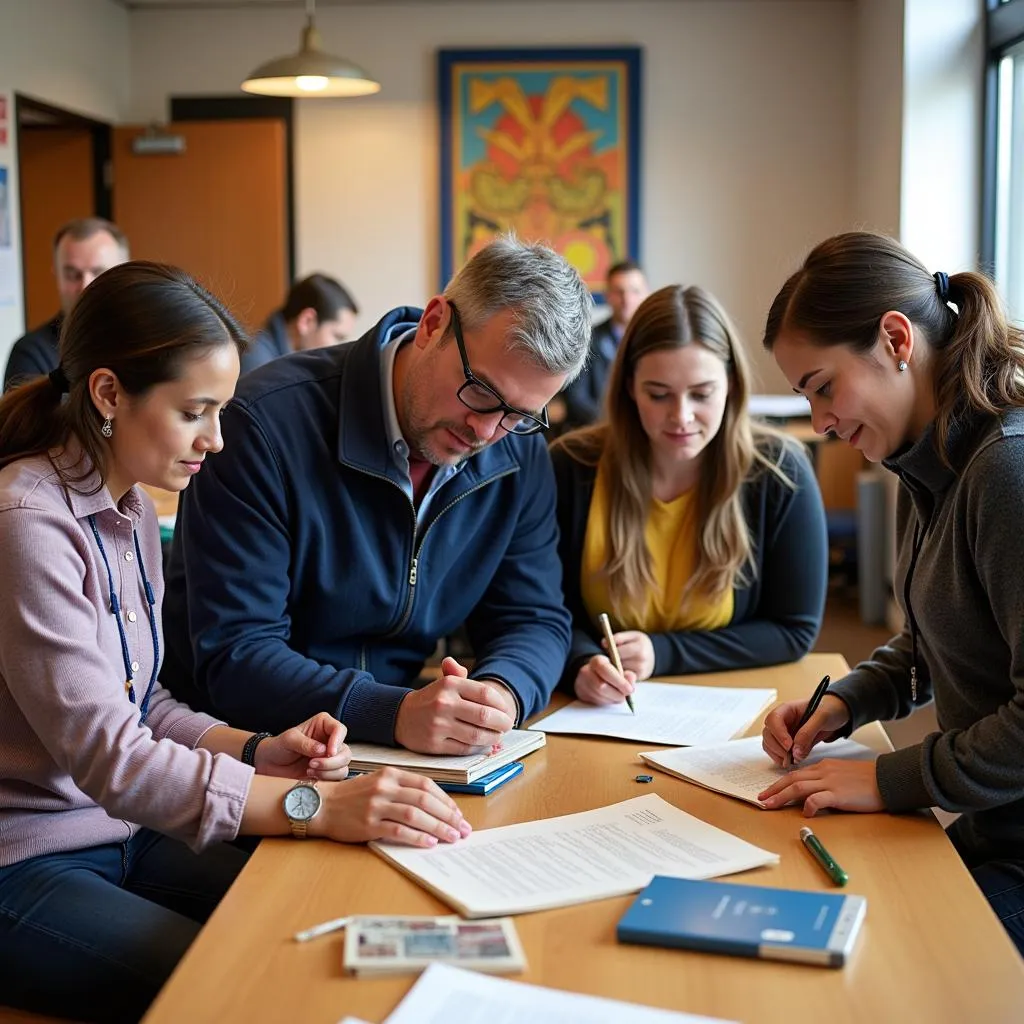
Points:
(141, 321)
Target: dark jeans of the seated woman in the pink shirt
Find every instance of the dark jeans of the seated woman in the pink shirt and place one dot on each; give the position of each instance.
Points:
(94, 934)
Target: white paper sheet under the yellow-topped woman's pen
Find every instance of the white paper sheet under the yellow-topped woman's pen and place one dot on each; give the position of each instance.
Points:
(667, 713)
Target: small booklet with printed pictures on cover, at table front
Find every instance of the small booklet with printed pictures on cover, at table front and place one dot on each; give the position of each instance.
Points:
(398, 945)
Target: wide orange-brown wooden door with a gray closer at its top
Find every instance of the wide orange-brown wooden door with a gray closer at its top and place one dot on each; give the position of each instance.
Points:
(219, 210)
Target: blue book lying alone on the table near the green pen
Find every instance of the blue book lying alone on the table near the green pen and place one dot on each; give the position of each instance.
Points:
(745, 921)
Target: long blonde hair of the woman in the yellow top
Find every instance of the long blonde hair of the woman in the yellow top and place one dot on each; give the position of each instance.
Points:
(674, 318)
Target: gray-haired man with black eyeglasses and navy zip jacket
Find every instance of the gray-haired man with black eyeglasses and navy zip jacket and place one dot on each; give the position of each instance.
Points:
(371, 499)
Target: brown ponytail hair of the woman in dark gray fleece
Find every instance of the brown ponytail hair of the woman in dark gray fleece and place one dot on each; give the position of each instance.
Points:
(850, 282)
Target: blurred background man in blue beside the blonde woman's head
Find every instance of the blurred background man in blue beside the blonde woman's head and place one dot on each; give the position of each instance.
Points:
(584, 399)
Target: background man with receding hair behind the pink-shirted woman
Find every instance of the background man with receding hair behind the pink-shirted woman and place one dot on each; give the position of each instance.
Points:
(83, 249)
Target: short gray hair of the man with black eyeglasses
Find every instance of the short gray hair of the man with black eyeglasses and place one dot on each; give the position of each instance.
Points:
(551, 304)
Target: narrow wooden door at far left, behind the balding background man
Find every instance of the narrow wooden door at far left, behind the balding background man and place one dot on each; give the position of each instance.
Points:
(57, 176)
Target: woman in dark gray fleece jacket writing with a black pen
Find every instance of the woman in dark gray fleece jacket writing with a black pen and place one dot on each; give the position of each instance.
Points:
(923, 373)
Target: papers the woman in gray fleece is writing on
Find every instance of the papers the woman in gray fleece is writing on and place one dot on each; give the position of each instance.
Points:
(742, 769)
